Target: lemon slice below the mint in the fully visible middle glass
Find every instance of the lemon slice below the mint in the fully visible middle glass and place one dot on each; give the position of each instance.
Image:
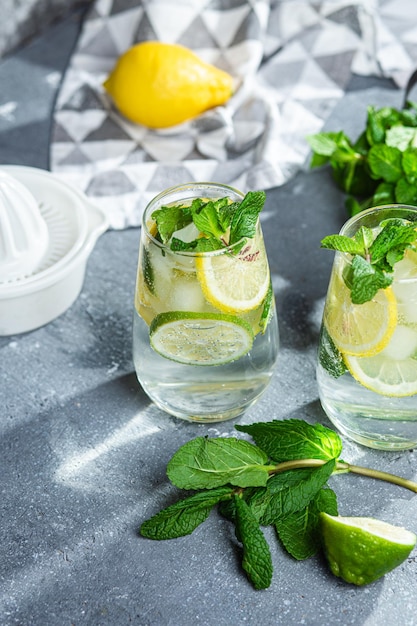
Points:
(235, 283)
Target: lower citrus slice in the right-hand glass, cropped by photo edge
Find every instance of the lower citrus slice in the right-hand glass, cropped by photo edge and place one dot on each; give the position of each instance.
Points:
(392, 372)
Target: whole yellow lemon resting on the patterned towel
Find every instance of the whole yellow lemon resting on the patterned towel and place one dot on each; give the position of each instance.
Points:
(159, 85)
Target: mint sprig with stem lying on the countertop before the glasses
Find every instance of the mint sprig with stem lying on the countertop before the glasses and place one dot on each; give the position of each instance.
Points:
(281, 480)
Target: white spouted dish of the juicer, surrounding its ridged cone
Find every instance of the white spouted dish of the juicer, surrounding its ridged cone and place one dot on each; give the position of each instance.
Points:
(74, 225)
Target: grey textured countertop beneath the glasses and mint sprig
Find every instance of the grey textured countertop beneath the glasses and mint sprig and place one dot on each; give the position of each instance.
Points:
(83, 453)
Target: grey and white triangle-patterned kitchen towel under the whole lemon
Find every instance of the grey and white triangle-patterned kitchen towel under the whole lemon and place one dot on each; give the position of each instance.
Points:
(292, 60)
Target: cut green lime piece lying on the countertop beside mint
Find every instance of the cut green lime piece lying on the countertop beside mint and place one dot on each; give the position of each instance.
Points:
(362, 549)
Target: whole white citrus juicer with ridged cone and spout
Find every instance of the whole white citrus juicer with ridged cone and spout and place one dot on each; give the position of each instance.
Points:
(47, 232)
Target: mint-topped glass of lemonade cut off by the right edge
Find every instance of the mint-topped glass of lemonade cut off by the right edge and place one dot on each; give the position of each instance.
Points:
(367, 360)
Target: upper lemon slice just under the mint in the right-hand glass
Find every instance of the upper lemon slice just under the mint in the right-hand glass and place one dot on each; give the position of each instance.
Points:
(360, 329)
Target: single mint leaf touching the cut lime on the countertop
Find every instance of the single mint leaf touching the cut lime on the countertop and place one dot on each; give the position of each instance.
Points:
(299, 532)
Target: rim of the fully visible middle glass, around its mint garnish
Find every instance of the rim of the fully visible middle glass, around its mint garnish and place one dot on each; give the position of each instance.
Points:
(187, 187)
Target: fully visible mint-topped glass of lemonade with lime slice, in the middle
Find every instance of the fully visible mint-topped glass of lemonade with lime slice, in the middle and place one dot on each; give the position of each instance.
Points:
(205, 332)
